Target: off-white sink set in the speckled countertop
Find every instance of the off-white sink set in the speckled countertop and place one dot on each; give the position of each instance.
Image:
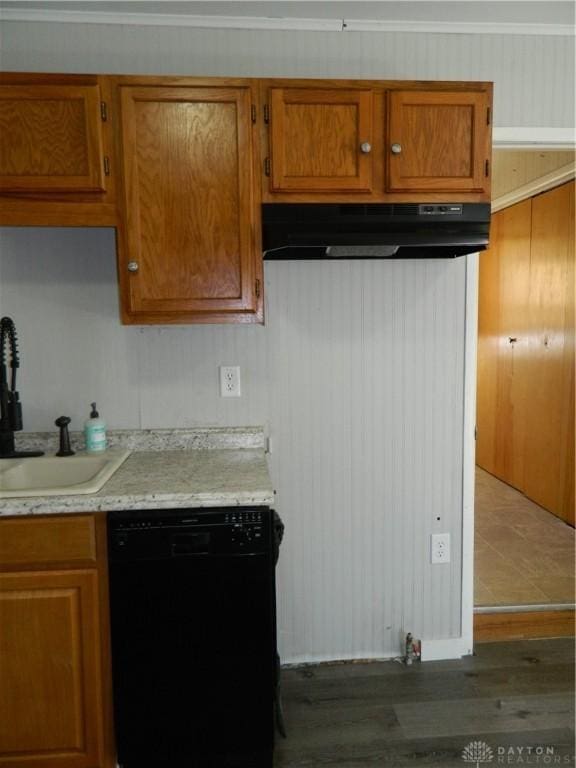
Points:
(58, 475)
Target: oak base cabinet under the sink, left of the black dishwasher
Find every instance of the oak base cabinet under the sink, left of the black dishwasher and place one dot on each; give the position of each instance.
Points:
(54, 655)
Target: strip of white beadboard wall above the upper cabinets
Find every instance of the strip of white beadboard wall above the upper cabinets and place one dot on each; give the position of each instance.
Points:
(534, 76)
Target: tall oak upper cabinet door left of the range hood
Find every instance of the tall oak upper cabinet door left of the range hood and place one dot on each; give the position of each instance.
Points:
(189, 250)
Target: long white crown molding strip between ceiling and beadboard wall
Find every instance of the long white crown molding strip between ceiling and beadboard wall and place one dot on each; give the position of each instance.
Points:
(282, 23)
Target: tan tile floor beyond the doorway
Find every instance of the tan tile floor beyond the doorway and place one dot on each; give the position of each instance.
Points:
(523, 554)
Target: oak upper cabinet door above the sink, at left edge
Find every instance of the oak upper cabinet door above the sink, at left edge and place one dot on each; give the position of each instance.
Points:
(51, 139)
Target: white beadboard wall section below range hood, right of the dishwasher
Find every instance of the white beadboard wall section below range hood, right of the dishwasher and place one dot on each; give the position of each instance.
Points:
(366, 403)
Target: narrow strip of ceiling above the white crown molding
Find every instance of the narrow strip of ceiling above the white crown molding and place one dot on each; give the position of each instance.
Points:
(546, 13)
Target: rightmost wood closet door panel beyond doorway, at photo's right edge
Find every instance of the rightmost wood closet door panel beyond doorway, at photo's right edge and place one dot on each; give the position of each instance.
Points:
(549, 457)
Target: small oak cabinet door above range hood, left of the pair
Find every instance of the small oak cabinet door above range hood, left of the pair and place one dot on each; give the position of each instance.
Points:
(320, 140)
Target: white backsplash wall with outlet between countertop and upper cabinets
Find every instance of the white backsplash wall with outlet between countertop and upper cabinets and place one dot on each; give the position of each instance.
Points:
(60, 287)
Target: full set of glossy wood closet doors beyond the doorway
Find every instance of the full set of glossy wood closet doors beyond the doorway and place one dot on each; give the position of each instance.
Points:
(526, 350)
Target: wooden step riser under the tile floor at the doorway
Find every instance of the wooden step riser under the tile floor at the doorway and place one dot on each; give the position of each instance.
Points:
(491, 627)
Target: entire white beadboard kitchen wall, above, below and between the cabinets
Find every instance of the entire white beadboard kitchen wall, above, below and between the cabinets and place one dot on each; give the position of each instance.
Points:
(358, 374)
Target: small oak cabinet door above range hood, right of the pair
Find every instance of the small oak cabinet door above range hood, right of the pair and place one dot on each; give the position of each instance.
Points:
(438, 141)
